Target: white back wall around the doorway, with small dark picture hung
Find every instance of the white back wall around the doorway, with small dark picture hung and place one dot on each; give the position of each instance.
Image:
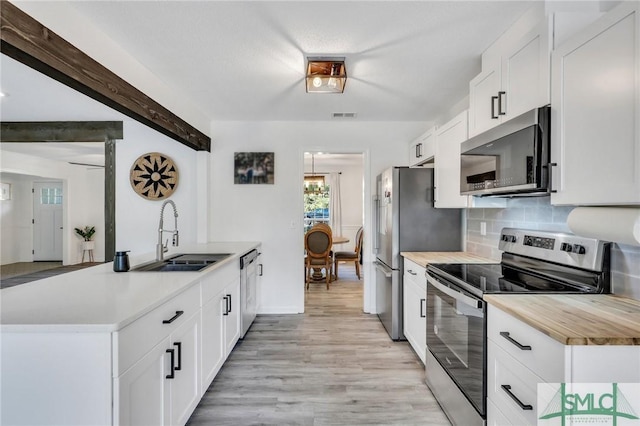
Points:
(273, 214)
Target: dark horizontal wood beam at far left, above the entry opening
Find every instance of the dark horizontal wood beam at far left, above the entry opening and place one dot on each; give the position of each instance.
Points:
(60, 131)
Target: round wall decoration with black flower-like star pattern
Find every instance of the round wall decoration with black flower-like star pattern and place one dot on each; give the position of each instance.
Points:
(154, 176)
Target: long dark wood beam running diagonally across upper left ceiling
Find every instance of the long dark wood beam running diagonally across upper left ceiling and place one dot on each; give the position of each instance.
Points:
(28, 41)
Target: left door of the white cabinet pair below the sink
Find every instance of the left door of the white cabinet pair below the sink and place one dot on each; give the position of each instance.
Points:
(212, 340)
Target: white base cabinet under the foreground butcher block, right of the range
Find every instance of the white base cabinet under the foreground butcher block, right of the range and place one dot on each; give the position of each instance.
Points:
(519, 357)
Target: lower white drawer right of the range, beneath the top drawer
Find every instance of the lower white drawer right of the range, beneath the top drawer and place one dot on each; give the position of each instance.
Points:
(504, 370)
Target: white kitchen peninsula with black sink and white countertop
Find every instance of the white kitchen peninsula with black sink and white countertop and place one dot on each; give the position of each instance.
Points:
(99, 347)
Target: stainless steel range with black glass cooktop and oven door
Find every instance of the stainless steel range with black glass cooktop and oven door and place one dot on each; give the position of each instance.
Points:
(532, 262)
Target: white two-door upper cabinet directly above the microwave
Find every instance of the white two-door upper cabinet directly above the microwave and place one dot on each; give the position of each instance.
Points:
(514, 79)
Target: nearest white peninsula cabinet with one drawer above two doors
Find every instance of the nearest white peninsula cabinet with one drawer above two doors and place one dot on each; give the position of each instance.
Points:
(163, 386)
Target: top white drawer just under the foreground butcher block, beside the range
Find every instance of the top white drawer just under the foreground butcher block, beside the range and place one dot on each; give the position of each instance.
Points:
(545, 356)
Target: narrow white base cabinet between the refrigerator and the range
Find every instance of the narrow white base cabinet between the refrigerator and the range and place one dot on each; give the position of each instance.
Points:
(414, 297)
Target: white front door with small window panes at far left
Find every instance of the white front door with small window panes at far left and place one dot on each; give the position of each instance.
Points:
(47, 221)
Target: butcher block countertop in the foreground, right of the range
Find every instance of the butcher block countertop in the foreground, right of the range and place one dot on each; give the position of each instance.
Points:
(577, 319)
